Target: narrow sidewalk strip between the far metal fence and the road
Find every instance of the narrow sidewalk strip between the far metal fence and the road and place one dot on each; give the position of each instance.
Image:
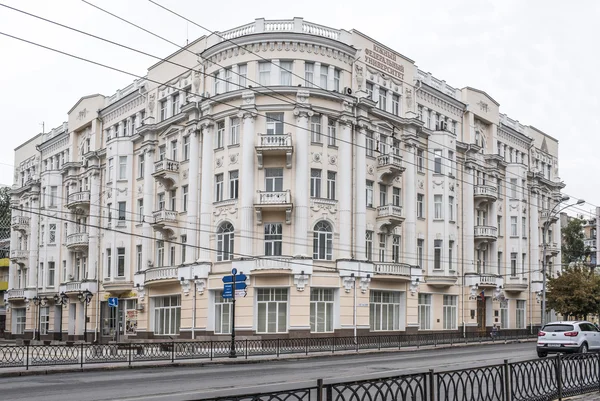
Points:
(44, 370)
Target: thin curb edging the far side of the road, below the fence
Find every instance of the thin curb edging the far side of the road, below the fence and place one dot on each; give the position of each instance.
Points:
(225, 361)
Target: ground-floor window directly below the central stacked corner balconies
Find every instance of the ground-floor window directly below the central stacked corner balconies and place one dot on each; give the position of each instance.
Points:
(272, 305)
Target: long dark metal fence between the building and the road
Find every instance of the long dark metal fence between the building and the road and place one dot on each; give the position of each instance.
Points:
(28, 355)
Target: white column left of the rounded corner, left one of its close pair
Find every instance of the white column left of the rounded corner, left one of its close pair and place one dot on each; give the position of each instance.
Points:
(192, 206)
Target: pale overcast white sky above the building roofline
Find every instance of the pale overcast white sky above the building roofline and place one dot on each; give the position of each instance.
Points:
(537, 58)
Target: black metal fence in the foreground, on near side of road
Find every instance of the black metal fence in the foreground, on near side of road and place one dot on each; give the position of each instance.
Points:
(534, 380)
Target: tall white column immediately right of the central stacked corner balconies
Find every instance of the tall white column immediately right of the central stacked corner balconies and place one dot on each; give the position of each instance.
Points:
(301, 170)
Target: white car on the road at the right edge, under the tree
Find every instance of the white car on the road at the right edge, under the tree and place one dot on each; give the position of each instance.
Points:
(558, 337)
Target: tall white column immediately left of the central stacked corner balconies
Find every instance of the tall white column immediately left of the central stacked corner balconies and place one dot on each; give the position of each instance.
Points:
(247, 188)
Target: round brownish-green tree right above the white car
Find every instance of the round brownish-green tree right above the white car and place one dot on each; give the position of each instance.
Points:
(575, 292)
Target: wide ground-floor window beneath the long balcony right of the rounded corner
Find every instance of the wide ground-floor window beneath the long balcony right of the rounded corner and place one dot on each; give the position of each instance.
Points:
(384, 310)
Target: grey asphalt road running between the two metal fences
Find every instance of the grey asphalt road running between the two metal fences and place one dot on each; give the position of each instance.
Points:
(188, 383)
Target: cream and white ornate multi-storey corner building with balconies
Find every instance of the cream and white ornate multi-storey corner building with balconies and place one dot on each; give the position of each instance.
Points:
(358, 193)
